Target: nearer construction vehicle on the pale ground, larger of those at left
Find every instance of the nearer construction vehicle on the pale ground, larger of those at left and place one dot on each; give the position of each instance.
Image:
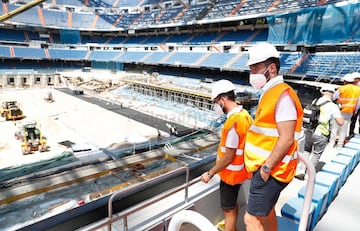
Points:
(31, 137)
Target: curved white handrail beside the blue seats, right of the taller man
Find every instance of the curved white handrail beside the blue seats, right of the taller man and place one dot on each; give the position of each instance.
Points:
(308, 193)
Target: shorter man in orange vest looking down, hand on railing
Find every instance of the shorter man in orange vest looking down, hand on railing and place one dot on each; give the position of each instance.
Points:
(230, 160)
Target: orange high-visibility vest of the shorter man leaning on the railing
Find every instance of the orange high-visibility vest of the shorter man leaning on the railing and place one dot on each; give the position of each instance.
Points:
(235, 172)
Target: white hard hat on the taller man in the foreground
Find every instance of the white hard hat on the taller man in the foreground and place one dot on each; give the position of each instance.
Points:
(260, 52)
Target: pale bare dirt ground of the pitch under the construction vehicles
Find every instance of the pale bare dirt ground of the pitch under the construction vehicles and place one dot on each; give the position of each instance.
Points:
(66, 119)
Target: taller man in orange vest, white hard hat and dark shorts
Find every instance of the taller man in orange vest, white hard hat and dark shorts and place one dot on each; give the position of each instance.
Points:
(271, 142)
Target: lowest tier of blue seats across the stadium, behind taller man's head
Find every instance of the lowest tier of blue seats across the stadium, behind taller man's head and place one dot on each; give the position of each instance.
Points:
(330, 66)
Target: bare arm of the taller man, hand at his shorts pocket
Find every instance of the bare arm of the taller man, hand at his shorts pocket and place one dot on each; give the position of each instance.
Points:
(286, 131)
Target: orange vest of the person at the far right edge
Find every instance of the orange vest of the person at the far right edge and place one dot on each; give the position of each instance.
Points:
(348, 97)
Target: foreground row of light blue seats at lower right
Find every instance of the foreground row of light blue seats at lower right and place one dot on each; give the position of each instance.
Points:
(328, 183)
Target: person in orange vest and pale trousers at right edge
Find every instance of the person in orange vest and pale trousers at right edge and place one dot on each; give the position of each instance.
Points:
(347, 96)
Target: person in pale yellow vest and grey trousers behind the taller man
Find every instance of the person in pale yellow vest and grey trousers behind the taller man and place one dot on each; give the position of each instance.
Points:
(316, 140)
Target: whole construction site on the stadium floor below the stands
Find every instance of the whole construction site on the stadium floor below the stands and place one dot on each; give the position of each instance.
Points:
(82, 139)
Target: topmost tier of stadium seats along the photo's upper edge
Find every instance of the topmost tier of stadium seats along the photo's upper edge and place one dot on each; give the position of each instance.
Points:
(113, 16)
